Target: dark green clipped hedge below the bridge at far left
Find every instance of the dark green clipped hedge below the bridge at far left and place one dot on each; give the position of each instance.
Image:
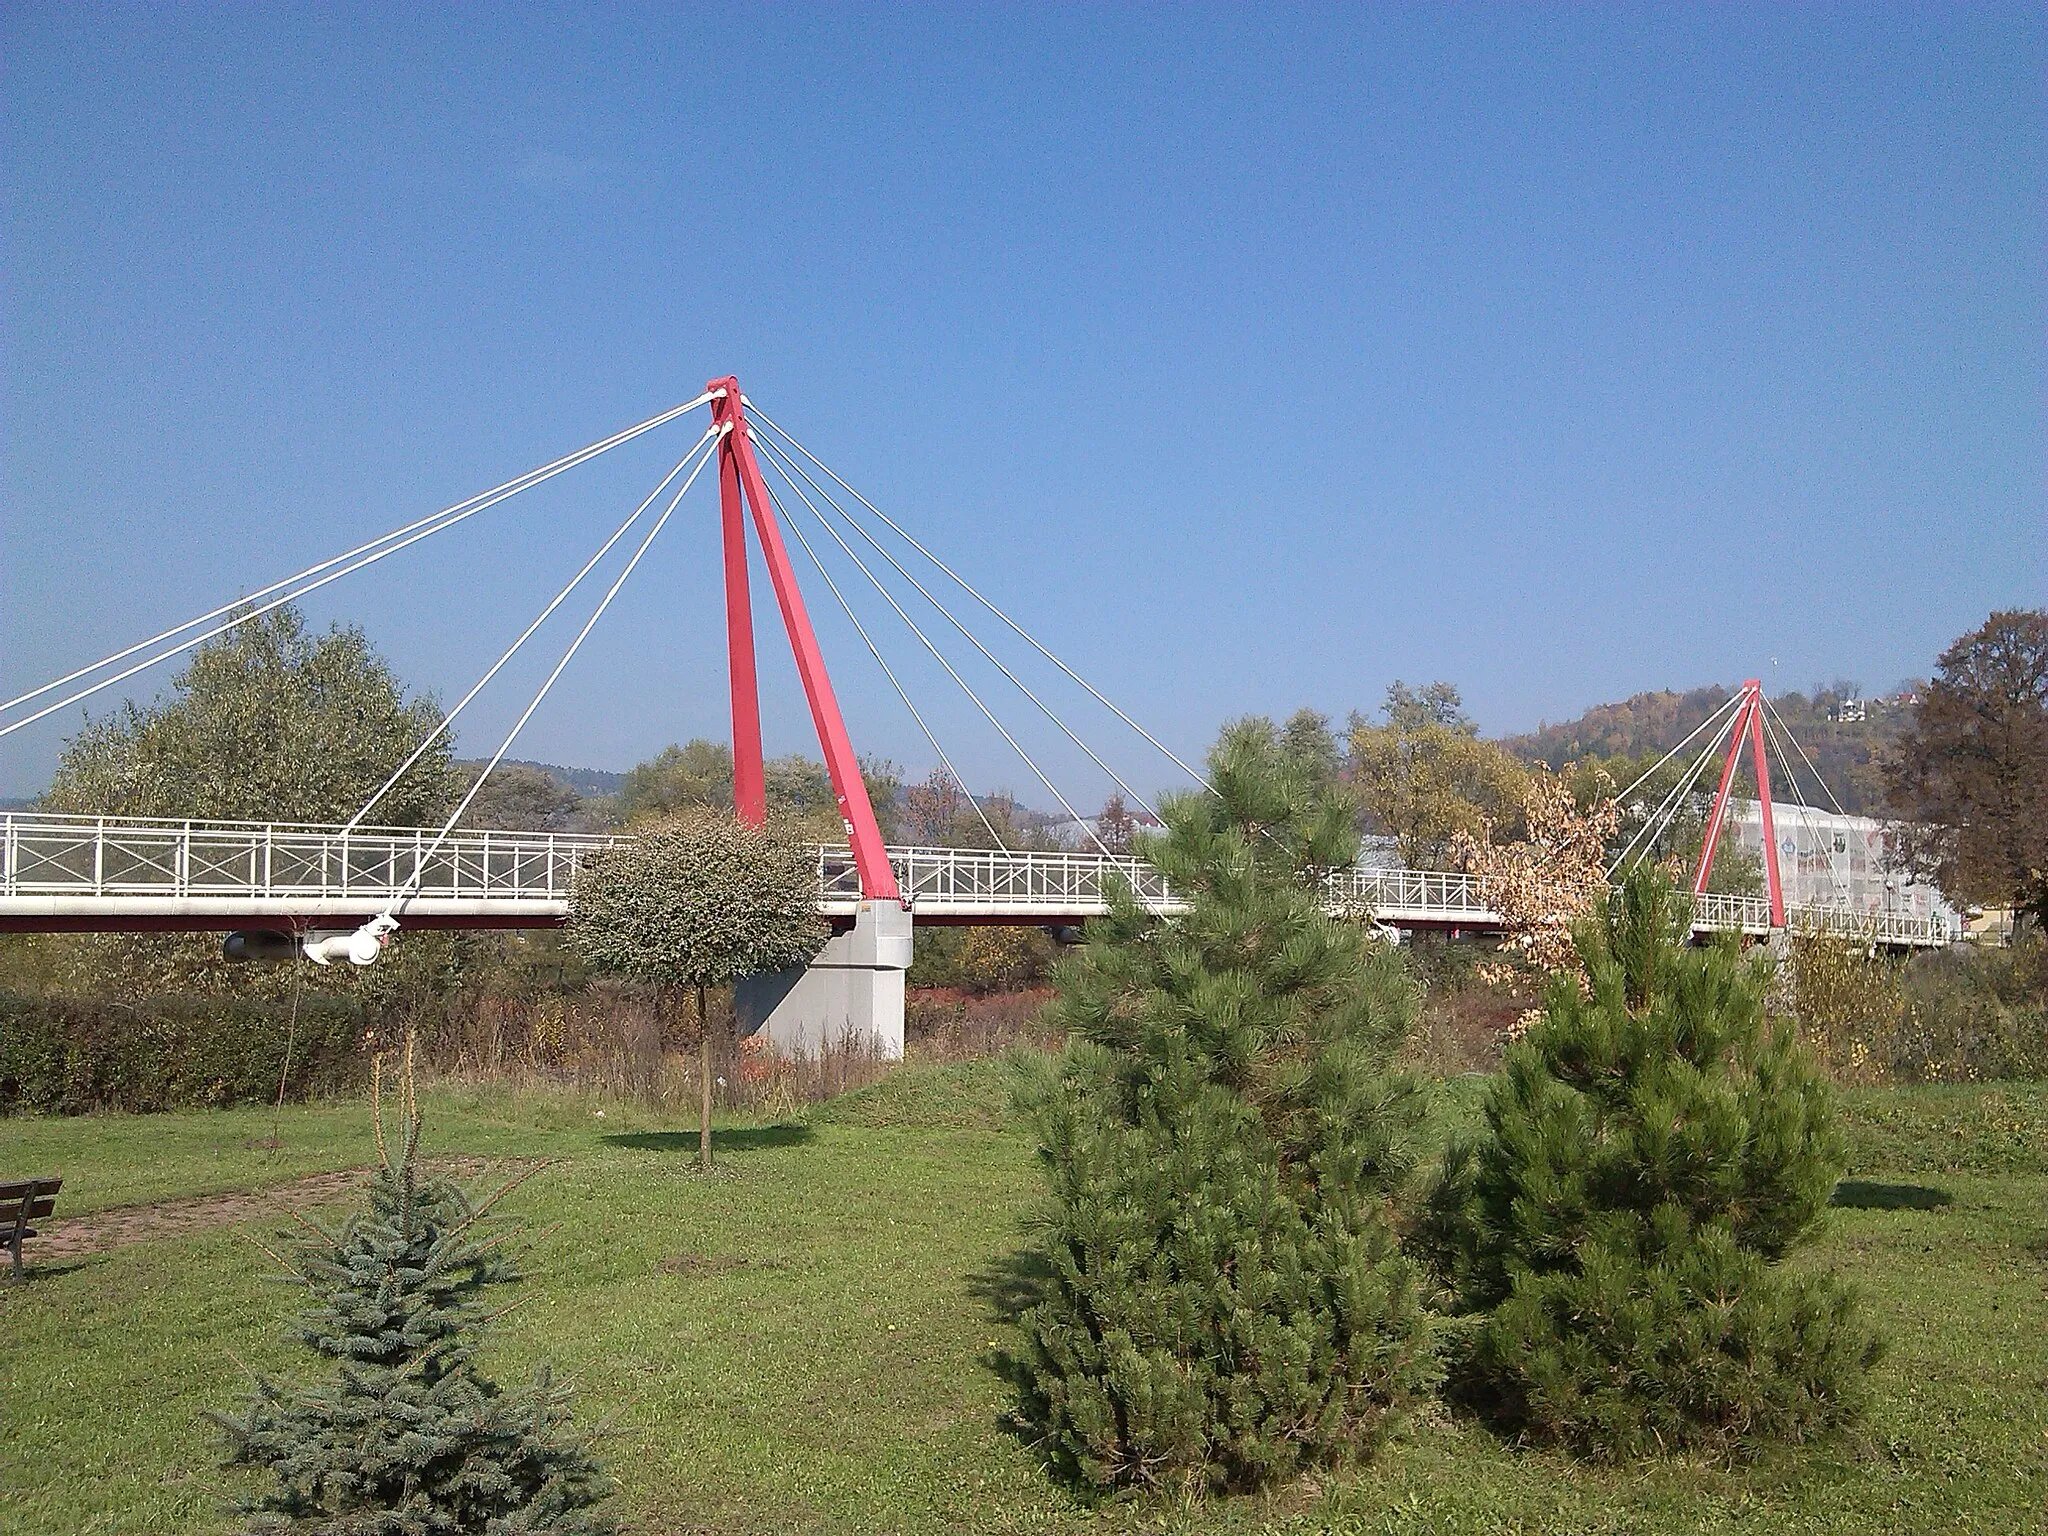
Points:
(71, 1056)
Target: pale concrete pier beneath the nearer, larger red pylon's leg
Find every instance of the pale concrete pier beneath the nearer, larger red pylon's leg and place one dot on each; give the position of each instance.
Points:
(853, 990)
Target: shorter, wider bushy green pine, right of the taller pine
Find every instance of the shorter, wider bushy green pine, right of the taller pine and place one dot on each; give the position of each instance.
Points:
(1652, 1152)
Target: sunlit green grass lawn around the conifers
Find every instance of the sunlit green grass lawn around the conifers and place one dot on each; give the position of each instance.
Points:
(800, 1342)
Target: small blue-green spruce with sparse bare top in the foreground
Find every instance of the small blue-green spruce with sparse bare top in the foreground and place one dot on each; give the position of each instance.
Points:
(409, 1439)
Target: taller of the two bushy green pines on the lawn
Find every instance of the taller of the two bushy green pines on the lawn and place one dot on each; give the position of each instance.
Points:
(1226, 1140)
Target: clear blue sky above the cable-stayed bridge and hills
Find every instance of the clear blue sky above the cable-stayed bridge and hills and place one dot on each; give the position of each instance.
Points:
(1252, 359)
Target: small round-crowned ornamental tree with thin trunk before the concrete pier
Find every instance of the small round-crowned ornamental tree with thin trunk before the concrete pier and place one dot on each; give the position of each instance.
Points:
(695, 902)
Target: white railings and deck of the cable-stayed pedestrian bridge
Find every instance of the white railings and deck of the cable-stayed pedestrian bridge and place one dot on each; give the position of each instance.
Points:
(69, 873)
